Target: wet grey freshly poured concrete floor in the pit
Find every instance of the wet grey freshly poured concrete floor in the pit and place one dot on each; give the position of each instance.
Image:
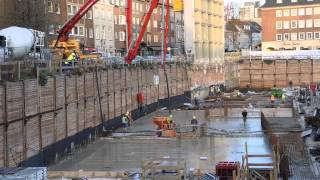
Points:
(127, 153)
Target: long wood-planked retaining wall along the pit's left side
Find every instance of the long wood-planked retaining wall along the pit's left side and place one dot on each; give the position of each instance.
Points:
(33, 118)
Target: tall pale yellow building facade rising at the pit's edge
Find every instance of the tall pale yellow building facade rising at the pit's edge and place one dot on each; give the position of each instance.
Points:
(204, 30)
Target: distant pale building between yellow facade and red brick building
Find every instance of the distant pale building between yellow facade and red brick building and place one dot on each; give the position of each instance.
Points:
(249, 11)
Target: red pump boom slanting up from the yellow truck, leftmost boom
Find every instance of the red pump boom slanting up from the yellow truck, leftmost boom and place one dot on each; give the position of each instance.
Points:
(67, 27)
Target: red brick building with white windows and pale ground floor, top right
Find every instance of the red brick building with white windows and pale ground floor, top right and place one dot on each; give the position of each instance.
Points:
(291, 25)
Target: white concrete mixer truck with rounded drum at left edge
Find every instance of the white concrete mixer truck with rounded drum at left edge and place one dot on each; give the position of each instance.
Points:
(17, 42)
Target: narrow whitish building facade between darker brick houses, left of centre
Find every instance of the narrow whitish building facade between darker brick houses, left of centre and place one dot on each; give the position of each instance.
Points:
(104, 27)
